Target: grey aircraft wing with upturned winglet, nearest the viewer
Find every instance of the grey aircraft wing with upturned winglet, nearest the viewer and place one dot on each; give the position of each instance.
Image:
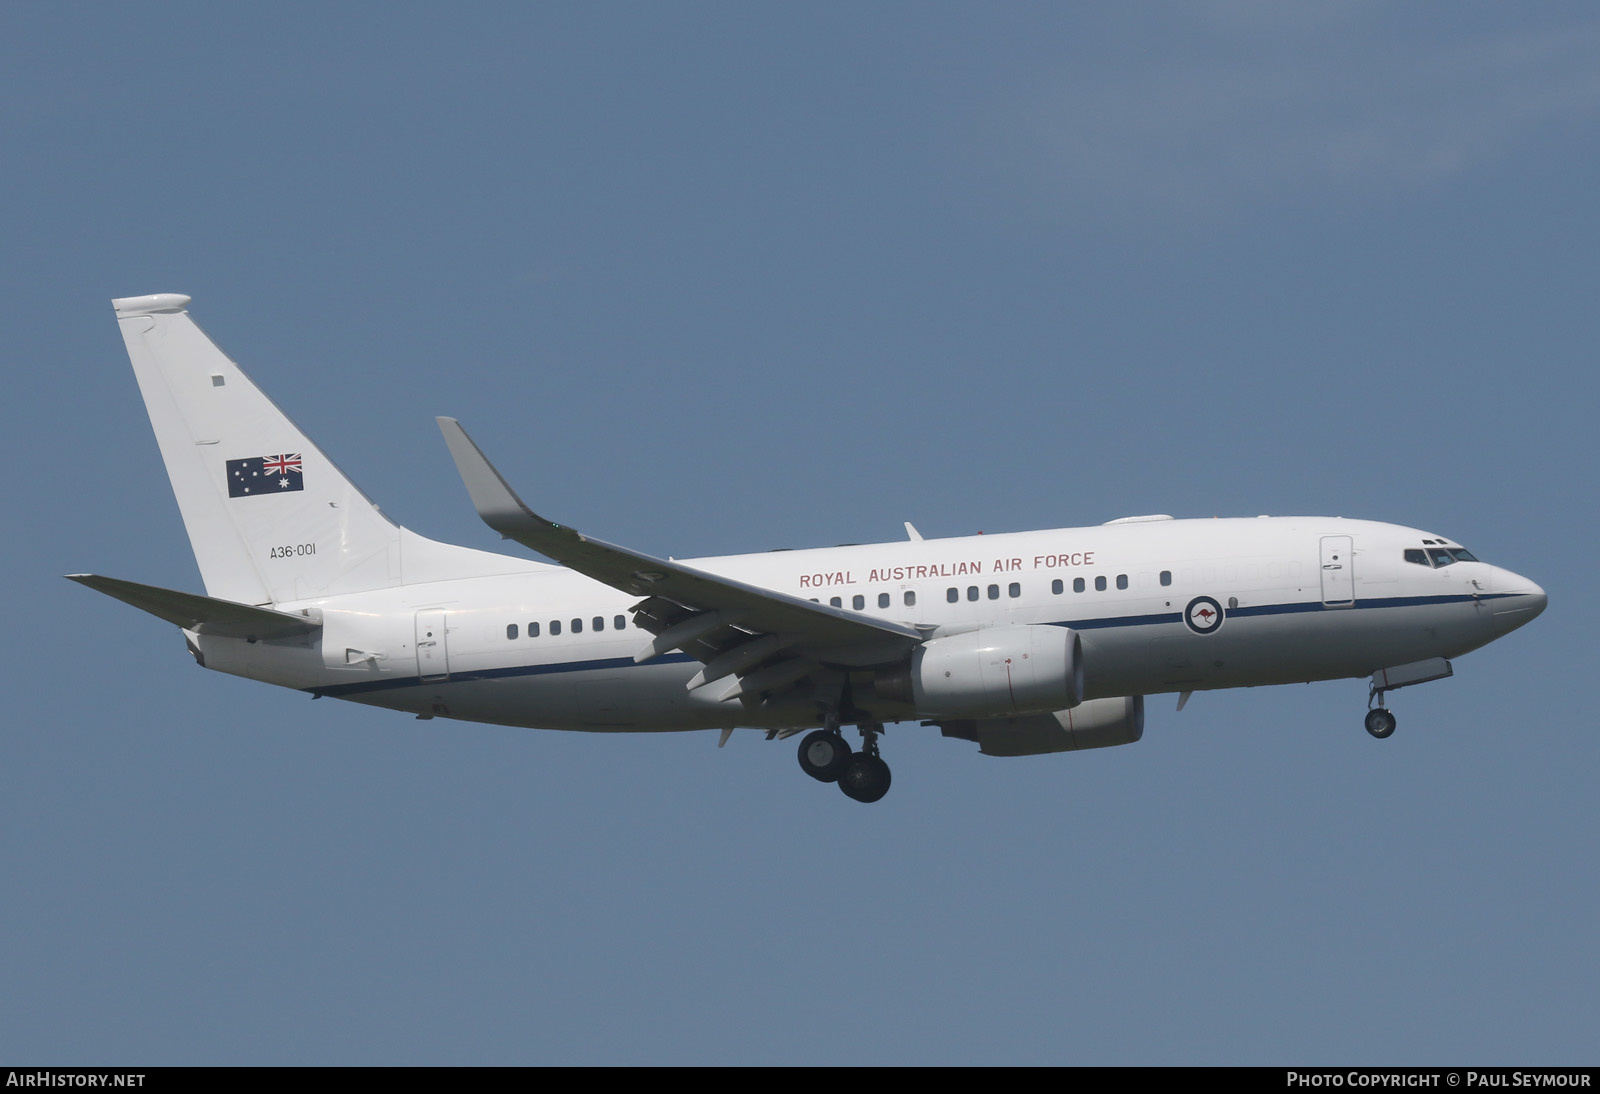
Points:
(729, 625)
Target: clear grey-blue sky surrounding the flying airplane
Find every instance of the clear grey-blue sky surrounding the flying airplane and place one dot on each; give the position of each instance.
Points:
(710, 279)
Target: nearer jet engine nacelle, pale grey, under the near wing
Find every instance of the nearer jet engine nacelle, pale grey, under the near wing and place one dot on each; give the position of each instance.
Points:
(999, 671)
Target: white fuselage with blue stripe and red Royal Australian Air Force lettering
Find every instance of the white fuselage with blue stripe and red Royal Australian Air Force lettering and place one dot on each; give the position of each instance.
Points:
(1161, 605)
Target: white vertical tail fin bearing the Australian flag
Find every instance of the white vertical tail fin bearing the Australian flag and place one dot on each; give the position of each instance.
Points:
(270, 517)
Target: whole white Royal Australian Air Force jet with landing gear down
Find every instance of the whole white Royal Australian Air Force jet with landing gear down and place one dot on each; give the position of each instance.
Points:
(1023, 644)
